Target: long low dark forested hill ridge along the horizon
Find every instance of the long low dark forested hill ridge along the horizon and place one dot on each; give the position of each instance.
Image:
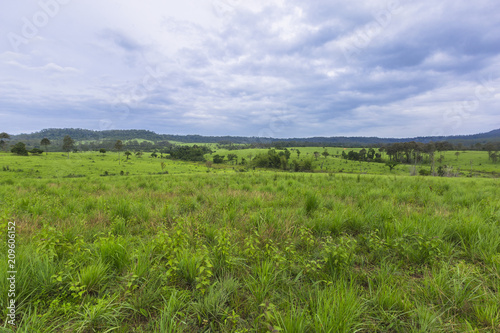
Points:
(78, 134)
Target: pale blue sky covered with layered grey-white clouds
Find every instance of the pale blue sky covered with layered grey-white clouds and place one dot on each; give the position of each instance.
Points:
(273, 68)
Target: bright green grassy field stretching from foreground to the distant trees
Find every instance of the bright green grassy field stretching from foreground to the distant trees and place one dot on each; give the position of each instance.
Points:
(103, 245)
